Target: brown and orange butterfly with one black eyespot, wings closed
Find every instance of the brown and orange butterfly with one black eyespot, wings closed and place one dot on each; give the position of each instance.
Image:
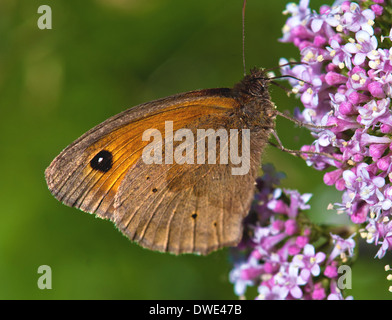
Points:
(175, 207)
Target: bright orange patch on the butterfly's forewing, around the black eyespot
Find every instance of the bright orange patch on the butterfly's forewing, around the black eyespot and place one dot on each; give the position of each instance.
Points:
(126, 146)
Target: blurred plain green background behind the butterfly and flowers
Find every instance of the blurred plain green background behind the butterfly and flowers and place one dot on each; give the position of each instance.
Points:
(101, 57)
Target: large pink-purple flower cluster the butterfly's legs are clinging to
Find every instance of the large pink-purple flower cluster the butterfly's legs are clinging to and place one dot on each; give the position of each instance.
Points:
(346, 68)
